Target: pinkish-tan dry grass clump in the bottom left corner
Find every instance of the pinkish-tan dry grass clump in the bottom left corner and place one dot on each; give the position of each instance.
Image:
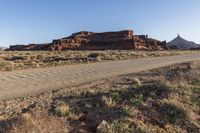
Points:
(38, 122)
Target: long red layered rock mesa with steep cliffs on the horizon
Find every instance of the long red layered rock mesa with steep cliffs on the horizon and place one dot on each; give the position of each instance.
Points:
(121, 40)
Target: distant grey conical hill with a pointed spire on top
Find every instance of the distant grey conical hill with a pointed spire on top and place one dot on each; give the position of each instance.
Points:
(182, 44)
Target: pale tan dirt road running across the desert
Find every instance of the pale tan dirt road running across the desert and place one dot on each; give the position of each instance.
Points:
(25, 82)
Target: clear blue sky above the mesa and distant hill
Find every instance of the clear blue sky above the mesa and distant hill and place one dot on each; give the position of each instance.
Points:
(38, 21)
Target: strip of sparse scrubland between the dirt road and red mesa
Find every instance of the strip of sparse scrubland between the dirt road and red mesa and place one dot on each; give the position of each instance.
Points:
(33, 59)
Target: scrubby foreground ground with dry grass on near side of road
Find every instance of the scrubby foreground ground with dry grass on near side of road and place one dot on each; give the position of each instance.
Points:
(157, 101)
